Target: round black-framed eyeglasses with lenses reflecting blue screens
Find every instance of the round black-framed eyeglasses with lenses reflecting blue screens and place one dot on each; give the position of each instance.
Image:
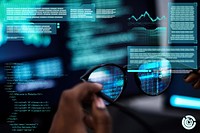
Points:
(152, 78)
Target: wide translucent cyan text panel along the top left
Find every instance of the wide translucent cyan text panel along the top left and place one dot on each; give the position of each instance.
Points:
(50, 12)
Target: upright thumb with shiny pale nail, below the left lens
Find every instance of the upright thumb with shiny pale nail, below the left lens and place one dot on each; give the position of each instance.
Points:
(101, 116)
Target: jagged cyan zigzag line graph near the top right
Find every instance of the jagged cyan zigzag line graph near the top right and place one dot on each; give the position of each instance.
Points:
(147, 14)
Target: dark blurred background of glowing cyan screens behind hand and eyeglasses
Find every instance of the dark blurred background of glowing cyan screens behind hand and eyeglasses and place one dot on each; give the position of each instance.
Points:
(35, 70)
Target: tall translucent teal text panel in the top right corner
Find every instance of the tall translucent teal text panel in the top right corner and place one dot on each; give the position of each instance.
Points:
(182, 25)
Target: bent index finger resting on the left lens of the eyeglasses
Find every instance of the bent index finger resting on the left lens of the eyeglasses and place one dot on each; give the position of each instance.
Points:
(85, 90)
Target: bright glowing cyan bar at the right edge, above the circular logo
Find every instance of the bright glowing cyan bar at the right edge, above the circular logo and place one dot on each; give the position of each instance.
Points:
(185, 102)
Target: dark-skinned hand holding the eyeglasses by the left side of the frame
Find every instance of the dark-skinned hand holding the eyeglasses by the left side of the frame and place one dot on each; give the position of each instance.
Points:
(71, 117)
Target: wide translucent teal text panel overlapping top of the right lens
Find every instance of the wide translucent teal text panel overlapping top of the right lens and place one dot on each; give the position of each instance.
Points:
(180, 57)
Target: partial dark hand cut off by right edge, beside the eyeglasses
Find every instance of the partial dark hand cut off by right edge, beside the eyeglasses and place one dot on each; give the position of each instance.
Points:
(194, 78)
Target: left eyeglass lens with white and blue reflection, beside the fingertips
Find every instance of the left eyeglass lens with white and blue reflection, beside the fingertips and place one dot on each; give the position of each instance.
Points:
(112, 79)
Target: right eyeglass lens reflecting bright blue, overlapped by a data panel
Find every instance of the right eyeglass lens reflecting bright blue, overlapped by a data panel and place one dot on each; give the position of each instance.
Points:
(158, 77)
